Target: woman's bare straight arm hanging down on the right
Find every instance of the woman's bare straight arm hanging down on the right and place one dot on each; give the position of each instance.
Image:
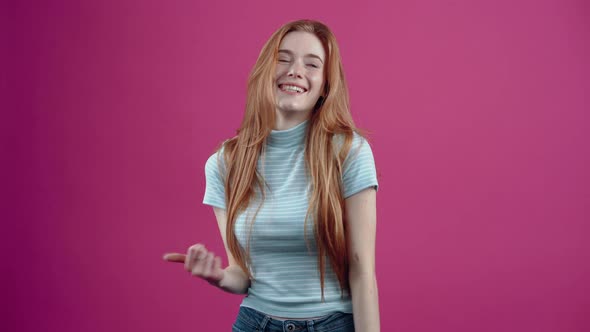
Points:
(360, 217)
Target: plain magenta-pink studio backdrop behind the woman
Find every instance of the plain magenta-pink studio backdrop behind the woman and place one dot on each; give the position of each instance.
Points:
(479, 119)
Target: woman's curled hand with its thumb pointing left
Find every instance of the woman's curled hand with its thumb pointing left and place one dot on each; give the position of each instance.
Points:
(200, 263)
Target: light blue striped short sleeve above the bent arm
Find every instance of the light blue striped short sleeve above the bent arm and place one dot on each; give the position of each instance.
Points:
(215, 184)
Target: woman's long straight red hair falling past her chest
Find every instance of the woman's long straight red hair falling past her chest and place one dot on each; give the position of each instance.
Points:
(323, 159)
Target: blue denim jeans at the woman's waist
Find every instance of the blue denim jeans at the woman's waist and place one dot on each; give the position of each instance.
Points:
(250, 320)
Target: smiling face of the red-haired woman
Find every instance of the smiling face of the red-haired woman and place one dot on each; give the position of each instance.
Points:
(299, 76)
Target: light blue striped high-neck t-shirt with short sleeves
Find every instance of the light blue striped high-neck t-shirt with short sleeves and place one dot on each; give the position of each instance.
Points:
(284, 262)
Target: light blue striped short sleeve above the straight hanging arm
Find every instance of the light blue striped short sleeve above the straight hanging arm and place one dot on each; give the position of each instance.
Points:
(359, 171)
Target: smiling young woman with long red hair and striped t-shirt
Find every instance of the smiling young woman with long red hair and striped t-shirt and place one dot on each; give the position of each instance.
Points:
(294, 196)
